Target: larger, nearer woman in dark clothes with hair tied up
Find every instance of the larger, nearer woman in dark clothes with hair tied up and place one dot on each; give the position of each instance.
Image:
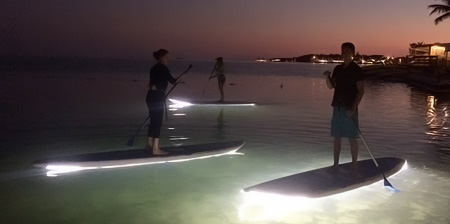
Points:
(159, 79)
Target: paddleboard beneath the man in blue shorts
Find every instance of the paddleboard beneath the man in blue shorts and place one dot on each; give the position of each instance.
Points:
(323, 182)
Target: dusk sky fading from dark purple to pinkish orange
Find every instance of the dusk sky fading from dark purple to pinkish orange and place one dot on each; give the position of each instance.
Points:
(205, 29)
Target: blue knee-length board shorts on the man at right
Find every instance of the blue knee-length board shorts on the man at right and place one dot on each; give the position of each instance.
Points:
(342, 125)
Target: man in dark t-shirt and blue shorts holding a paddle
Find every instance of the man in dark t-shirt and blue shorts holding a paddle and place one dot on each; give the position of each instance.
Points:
(348, 83)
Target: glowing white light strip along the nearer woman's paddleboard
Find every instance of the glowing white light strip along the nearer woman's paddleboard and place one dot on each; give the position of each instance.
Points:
(58, 168)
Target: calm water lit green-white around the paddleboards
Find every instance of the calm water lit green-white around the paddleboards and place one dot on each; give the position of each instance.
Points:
(53, 113)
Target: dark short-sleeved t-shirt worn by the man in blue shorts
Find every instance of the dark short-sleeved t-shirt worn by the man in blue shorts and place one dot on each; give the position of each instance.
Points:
(345, 88)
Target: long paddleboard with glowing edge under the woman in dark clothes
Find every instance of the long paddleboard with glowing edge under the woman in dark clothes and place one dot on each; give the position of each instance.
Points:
(136, 157)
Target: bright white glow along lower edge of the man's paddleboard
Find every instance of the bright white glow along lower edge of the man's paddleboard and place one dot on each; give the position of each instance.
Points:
(270, 206)
